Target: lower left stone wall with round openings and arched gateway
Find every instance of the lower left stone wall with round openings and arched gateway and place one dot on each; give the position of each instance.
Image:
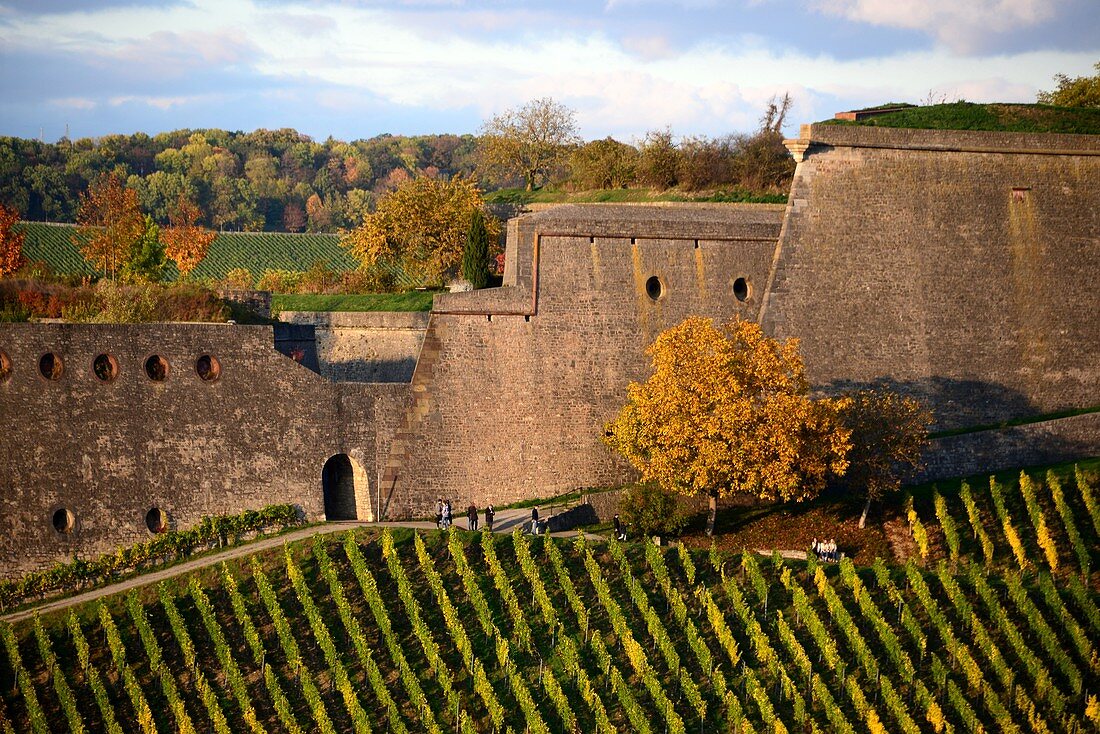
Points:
(89, 456)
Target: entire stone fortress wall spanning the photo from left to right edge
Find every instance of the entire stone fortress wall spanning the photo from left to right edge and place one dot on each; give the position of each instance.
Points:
(952, 266)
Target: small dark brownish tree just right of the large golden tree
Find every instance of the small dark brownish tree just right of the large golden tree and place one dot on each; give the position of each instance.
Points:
(889, 433)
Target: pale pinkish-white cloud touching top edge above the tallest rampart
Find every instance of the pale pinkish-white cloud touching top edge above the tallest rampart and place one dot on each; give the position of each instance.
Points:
(961, 25)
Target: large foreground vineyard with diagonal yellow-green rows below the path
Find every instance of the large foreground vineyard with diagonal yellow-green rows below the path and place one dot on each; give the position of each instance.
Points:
(404, 632)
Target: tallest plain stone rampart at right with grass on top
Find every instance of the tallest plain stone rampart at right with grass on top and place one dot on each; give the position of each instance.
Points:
(955, 266)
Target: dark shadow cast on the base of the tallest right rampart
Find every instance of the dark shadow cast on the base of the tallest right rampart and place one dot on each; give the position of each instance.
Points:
(954, 403)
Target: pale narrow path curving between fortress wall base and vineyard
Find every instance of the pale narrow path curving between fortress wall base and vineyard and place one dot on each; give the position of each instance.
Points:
(507, 521)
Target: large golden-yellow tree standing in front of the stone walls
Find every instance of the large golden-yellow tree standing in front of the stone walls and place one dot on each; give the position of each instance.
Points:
(728, 412)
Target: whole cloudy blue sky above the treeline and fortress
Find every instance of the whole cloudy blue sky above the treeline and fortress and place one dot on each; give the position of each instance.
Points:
(357, 69)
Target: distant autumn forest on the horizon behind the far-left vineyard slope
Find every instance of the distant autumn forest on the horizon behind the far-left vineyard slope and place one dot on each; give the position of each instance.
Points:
(266, 180)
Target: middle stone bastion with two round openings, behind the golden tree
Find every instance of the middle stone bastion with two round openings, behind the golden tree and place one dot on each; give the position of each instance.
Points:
(512, 391)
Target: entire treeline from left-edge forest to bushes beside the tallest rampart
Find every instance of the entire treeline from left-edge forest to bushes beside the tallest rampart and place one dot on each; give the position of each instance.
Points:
(283, 181)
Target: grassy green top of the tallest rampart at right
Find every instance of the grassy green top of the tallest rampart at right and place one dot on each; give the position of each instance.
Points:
(1004, 118)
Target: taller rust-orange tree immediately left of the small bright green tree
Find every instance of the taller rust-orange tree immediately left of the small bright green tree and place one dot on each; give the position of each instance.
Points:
(109, 224)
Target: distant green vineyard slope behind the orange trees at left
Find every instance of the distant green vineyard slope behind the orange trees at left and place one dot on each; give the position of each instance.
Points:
(256, 251)
